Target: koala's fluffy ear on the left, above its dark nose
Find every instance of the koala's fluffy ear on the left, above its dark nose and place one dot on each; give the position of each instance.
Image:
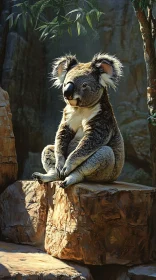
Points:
(60, 68)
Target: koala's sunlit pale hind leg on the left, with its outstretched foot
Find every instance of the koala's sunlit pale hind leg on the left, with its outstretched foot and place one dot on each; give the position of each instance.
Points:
(48, 162)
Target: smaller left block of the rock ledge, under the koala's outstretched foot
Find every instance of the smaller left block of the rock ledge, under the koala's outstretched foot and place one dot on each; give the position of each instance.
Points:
(23, 208)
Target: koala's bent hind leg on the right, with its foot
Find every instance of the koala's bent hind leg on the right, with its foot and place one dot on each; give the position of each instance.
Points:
(98, 168)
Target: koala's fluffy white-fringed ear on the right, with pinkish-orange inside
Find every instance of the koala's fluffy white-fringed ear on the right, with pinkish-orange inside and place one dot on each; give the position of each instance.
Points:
(109, 69)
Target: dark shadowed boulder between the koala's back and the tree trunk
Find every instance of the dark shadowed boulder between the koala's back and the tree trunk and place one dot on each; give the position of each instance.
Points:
(134, 128)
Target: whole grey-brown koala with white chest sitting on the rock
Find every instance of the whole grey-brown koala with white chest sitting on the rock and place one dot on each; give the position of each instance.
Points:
(88, 144)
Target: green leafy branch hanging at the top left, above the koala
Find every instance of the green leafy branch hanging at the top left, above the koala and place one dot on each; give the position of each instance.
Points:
(54, 17)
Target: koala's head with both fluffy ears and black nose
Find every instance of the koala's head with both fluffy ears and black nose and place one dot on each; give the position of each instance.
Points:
(83, 83)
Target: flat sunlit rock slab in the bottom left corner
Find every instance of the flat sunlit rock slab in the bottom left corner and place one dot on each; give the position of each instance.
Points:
(26, 262)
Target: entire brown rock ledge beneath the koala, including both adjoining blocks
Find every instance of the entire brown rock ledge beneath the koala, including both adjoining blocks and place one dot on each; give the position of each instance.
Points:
(88, 223)
